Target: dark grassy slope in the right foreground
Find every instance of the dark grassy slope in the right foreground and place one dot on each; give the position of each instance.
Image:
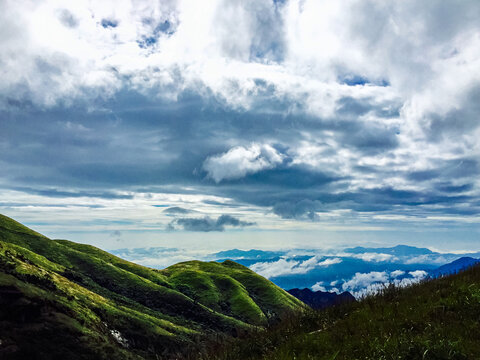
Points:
(436, 319)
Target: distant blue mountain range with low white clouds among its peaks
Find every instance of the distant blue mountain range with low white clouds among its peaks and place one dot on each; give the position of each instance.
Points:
(354, 269)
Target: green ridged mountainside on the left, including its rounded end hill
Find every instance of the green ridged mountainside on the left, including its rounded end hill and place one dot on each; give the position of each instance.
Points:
(63, 300)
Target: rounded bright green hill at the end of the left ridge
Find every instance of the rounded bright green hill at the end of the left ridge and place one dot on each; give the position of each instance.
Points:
(234, 289)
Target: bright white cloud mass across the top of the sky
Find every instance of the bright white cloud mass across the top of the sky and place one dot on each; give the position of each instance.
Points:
(300, 48)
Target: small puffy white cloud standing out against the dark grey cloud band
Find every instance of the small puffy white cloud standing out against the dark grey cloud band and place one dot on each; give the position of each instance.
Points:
(240, 161)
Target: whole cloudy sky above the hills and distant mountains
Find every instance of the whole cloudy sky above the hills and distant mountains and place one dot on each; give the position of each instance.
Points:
(210, 125)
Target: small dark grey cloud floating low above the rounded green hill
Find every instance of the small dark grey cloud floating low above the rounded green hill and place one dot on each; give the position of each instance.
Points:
(207, 224)
